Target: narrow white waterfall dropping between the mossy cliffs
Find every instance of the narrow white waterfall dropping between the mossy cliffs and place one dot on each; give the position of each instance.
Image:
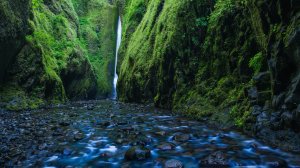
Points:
(119, 35)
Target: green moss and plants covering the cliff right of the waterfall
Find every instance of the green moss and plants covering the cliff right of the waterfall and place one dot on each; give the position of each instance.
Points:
(199, 57)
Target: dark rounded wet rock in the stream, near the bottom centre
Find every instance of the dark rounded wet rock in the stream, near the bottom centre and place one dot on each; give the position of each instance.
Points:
(137, 153)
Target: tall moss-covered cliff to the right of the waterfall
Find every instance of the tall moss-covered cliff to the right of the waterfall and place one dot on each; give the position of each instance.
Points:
(203, 58)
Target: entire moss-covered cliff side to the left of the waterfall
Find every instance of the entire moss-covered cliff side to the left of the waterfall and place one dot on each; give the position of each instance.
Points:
(52, 51)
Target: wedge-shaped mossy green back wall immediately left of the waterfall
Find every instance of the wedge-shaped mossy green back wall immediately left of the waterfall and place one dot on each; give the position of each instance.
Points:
(97, 21)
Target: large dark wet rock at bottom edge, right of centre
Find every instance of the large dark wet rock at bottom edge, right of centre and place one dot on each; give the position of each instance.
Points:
(216, 159)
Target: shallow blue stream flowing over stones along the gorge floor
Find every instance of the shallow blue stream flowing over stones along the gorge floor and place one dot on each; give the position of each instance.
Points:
(107, 133)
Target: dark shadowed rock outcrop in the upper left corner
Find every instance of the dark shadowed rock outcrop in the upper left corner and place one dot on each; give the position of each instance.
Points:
(13, 28)
